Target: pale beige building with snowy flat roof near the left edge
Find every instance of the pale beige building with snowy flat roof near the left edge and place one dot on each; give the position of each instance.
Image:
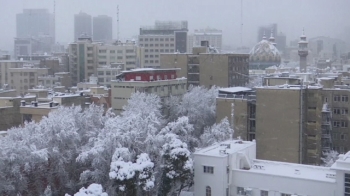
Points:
(25, 78)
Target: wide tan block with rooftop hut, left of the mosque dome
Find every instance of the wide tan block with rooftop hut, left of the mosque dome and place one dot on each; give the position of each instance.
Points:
(203, 67)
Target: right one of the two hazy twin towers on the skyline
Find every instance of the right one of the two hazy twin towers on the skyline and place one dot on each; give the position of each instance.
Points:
(102, 28)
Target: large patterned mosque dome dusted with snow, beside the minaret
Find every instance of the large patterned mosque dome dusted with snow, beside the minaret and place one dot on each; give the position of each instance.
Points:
(263, 55)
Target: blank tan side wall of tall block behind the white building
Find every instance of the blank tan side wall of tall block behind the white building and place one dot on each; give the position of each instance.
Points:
(277, 124)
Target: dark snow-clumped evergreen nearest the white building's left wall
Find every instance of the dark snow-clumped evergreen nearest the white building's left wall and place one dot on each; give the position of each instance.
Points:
(177, 172)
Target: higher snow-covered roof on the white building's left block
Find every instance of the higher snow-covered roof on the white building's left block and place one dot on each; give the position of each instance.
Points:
(230, 147)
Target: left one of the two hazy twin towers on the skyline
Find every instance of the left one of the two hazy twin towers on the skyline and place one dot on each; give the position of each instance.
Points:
(82, 25)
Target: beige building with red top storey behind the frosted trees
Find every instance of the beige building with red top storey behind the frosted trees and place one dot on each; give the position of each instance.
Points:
(162, 82)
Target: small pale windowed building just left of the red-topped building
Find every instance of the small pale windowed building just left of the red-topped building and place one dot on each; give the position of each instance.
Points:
(106, 74)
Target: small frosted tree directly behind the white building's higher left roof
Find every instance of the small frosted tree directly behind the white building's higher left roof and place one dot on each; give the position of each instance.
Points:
(217, 133)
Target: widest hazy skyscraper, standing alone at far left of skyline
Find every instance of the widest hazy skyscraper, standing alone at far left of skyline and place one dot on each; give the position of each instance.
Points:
(35, 23)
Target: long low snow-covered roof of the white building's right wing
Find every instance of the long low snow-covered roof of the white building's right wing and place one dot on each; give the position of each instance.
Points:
(292, 170)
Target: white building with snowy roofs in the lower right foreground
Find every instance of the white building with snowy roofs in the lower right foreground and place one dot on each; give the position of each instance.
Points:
(231, 168)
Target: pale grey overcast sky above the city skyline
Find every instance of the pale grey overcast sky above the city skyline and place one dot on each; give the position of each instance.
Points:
(318, 17)
